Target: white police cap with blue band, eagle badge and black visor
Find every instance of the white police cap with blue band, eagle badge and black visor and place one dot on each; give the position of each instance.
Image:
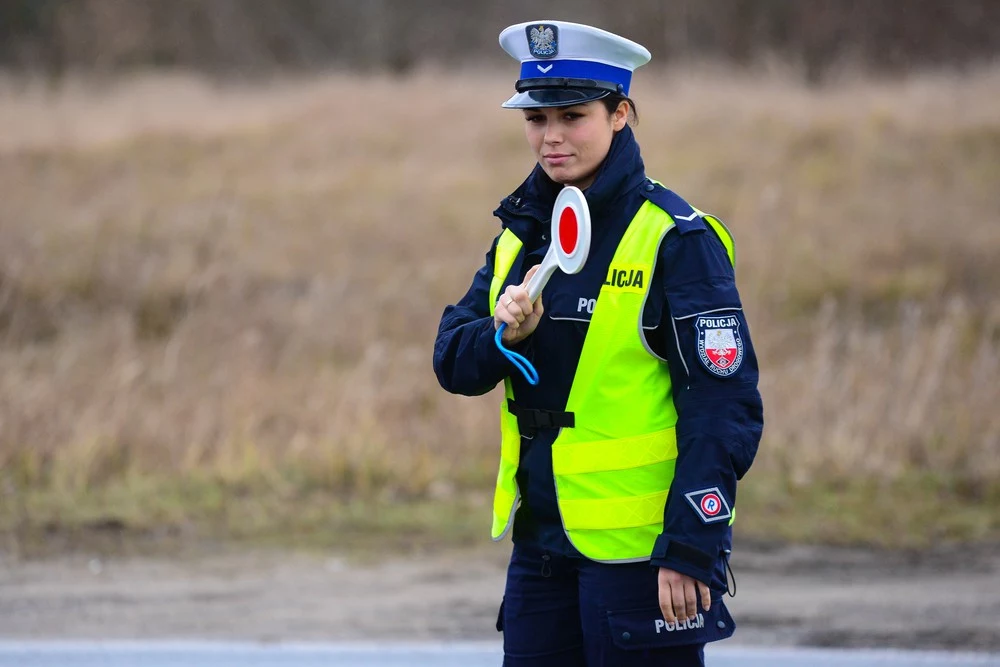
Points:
(566, 63)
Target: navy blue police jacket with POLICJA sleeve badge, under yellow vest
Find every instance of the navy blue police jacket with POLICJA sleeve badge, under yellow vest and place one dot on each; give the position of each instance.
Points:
(720, 416)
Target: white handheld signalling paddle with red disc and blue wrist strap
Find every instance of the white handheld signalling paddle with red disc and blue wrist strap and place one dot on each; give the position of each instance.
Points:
(567, 252)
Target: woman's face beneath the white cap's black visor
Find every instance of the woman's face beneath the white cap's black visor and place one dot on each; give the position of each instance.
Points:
(571, 142)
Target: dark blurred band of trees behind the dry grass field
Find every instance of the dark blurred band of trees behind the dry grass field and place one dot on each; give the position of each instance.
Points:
(246, 36)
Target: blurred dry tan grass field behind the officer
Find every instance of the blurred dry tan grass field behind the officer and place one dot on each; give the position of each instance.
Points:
(217, 303)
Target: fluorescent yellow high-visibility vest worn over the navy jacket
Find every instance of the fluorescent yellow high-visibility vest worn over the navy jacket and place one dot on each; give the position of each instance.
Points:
(614, 468)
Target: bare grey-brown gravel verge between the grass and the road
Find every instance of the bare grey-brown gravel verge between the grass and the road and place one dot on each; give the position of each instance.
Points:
(793, 596)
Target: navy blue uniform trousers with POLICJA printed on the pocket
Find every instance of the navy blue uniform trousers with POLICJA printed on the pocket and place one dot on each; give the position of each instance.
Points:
(572, 612)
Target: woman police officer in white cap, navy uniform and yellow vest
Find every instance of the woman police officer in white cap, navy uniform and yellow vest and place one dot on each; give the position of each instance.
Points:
(618, 470)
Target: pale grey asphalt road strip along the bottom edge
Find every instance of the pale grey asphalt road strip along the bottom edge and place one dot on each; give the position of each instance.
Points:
(459, 654)
